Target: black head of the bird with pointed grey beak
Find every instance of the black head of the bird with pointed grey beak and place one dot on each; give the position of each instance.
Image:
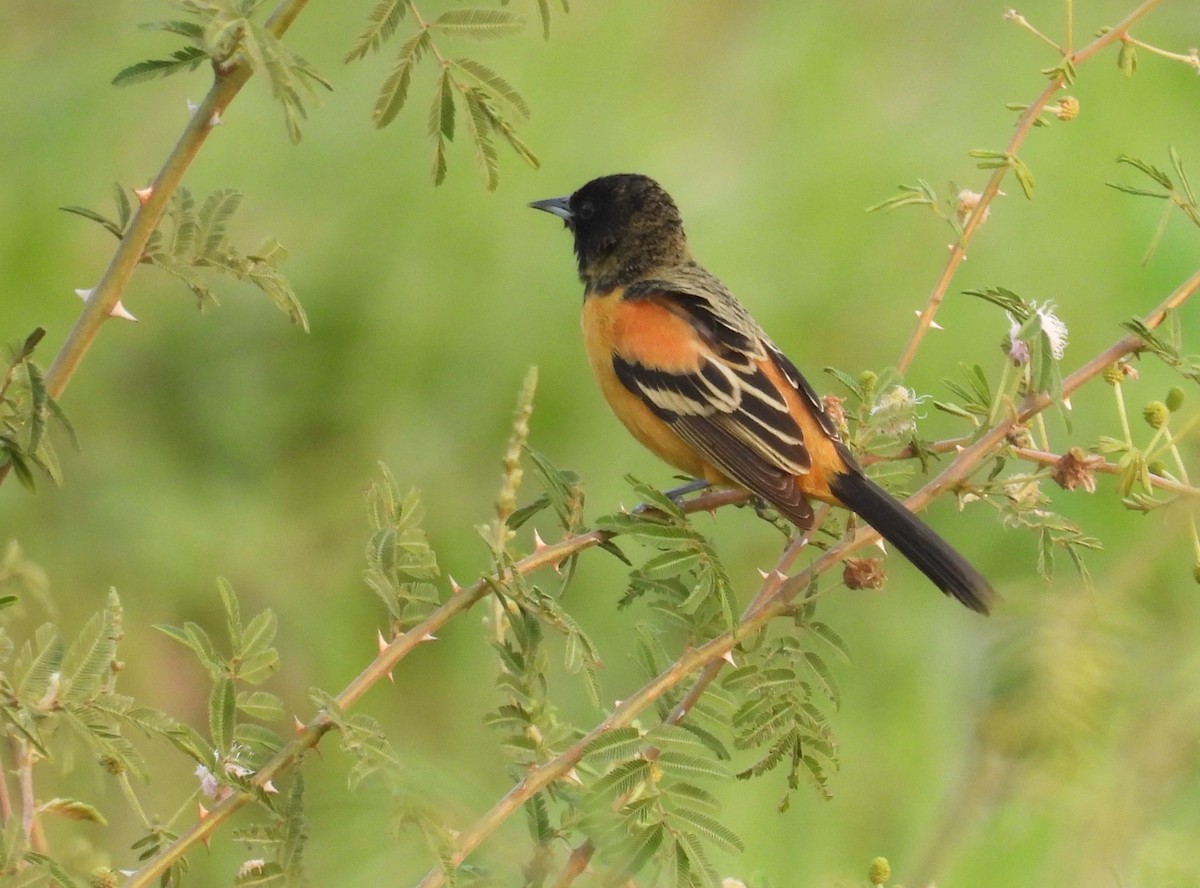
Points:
(626, 227)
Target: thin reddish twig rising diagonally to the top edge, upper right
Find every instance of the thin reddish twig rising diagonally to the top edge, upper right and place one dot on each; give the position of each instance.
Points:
(1024, 125)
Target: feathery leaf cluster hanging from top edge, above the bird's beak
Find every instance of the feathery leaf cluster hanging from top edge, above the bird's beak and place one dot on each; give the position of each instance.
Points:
(494, 106)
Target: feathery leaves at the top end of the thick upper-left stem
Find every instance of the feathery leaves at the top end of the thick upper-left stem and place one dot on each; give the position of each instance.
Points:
(225, 33)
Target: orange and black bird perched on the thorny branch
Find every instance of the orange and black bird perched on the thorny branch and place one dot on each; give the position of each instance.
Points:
(697, 381)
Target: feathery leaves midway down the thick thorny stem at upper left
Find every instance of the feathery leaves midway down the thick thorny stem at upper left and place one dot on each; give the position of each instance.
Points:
(196, 241)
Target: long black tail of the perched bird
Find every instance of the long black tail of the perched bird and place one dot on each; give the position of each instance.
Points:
(931, 554)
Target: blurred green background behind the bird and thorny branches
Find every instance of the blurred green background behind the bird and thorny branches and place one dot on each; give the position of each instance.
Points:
(229, 443)
